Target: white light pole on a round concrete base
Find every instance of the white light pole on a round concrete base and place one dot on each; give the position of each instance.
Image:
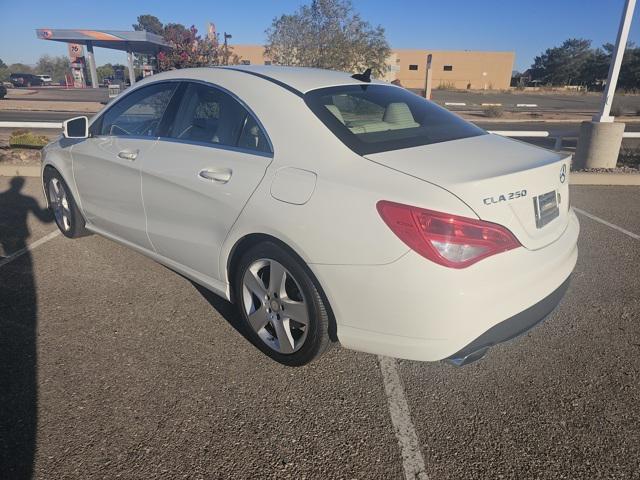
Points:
(600, 140)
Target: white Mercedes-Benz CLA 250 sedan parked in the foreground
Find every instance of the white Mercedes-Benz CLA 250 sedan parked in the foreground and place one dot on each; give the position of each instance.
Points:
(327, 207)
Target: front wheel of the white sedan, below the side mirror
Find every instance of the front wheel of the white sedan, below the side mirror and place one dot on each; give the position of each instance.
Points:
(63, 206)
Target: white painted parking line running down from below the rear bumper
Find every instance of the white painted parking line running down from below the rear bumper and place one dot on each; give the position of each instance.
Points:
(412, 460)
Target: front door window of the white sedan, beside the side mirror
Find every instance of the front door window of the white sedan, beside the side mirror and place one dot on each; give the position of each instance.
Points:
(139, 113)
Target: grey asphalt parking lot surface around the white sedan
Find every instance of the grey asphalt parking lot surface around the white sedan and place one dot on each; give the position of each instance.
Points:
(112, 366)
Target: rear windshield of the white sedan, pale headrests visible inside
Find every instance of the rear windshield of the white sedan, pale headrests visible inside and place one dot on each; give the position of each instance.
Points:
(378, 118)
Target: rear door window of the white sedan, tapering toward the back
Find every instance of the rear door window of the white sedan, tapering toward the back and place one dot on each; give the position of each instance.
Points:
(212, 116)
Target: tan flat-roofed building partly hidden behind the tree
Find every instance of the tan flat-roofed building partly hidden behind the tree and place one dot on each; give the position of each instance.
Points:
(467, 69)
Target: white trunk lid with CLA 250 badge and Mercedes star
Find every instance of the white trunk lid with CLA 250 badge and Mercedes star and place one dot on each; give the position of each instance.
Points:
(517, 185)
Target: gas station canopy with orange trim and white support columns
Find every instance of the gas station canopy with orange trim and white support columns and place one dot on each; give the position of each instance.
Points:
(128, 41)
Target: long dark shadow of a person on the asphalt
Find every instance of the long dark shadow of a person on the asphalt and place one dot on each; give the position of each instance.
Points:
(18, 335)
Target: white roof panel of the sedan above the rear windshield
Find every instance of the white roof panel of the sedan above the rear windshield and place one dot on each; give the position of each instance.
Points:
(302, 79)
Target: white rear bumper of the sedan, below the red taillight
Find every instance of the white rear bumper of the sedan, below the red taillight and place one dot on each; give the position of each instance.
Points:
(417, 310)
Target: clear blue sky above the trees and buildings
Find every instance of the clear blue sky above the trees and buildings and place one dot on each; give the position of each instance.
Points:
(525, 27)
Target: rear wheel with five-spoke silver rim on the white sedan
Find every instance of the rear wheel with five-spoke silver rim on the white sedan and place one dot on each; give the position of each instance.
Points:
(281, 307)
